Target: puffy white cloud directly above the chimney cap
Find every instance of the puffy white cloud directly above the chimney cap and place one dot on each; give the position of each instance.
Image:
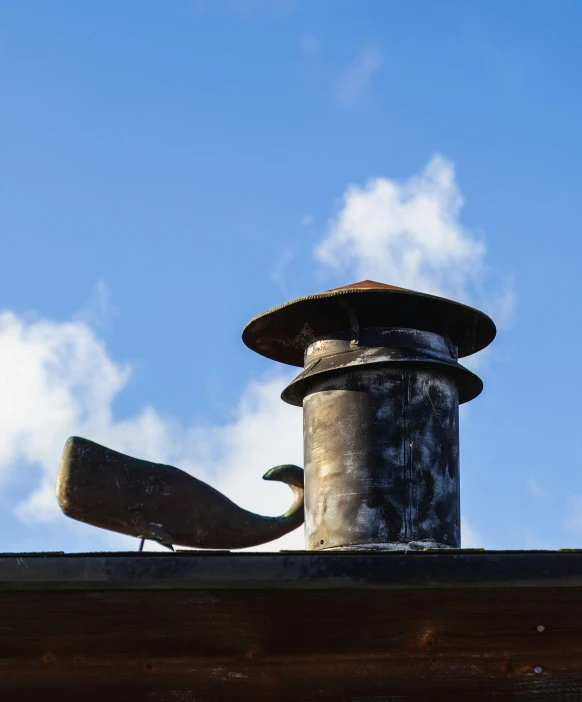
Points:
(408, 233)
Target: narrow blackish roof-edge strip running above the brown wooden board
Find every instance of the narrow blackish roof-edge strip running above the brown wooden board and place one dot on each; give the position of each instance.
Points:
(185, 570)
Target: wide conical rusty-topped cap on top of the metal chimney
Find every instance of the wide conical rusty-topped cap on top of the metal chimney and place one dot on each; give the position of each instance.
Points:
(282, 333)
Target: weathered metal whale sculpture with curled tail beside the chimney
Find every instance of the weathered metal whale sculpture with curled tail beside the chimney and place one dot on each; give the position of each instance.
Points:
(113, 491)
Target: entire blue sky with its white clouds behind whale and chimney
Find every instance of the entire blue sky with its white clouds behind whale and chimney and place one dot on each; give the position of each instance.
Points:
(169, 170)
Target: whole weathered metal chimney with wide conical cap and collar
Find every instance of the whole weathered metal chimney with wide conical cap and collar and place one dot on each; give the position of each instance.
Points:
(380, 391)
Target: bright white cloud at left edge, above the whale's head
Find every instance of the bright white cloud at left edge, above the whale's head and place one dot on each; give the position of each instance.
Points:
(52, 376)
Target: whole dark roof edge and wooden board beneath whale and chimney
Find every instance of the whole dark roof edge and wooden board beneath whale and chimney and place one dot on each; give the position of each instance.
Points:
(291, 626)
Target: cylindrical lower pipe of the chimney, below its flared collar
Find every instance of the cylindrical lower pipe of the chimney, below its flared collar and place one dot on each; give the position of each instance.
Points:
(381, 459)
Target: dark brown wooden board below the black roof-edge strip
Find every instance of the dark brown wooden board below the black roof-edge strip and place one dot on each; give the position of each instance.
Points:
(259, 644)
